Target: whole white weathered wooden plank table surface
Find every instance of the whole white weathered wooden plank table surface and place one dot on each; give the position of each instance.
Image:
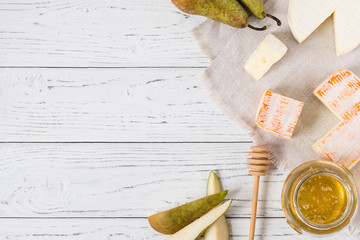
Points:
(103, 122)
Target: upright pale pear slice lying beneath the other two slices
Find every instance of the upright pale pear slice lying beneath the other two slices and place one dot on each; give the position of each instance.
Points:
(220, 229)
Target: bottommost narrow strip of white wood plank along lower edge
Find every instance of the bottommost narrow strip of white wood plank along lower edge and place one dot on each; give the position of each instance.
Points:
(130, 229)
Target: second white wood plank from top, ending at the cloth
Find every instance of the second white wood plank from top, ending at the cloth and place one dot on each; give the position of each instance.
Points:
(110, 105)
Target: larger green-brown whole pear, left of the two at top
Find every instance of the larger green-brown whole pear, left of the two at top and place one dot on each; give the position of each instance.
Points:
(229, 12)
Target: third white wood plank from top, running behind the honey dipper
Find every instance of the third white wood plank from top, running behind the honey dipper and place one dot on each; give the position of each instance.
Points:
(125, 179)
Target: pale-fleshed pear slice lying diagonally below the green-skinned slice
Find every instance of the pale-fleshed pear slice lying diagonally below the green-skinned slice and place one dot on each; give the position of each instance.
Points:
(194, 230)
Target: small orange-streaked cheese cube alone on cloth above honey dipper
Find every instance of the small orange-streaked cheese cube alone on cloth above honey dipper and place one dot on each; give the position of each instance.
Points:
(278, 114)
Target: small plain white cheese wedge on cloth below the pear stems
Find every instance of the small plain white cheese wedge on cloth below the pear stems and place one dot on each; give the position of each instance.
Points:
(267, 54)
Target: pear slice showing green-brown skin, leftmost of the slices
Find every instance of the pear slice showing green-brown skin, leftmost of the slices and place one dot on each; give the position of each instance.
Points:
(173, 220)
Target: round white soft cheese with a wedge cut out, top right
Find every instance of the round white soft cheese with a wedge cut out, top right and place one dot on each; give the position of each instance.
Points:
(304, 16)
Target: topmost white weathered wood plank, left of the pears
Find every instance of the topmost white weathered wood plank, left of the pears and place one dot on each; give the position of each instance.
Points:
(91, 33)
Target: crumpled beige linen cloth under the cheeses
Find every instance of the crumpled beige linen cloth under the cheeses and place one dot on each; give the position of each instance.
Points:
(296, 75)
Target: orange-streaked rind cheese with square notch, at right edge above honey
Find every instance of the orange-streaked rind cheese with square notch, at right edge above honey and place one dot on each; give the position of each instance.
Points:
(341, 94)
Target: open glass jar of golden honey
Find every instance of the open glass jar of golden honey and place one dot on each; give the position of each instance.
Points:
(319, 197)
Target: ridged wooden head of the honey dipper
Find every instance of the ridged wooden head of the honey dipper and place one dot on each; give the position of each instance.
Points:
(259, 161)
